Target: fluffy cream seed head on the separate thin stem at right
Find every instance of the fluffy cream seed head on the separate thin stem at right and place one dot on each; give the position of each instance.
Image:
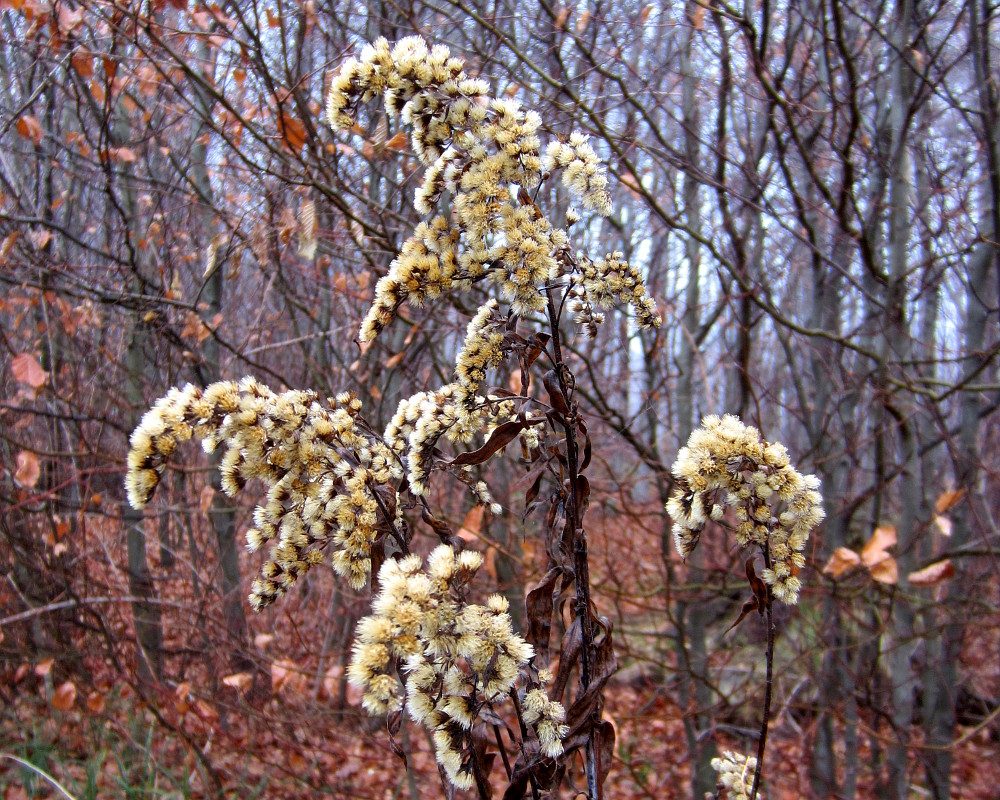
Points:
(727, 463)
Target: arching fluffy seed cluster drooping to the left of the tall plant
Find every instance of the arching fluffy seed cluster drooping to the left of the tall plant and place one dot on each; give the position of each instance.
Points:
(329, 480)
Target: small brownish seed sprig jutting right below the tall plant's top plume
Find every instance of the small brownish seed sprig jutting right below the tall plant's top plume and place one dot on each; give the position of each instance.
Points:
(605, 283)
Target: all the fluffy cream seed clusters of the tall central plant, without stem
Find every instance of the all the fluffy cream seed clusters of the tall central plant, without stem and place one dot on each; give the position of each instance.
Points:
(335, 486)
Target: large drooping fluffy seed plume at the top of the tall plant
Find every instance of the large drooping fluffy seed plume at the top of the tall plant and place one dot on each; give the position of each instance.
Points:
(477, 148)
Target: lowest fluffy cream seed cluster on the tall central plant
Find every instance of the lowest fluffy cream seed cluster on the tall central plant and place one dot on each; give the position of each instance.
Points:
(455, 657)
